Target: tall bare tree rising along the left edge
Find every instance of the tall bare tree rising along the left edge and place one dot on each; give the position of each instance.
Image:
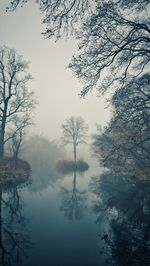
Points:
(15, 98)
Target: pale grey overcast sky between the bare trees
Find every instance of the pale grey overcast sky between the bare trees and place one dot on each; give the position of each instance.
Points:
(56, 88)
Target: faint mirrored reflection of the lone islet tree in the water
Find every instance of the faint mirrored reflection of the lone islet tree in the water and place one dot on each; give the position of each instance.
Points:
(73, 202)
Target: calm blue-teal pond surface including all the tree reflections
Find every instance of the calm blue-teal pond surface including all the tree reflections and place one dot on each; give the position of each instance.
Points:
(76, 220)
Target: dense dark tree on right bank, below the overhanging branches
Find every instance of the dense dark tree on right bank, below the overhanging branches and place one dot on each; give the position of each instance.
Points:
(126, 141)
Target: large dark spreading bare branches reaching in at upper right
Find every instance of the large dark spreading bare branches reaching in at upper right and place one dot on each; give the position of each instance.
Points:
(114, 46)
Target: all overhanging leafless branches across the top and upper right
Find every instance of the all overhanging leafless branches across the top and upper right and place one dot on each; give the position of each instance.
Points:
(114, 37)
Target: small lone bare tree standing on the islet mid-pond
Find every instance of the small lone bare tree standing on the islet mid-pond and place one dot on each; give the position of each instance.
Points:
(74, 132)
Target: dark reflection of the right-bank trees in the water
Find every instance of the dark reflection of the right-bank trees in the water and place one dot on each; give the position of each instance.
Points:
(124, 202)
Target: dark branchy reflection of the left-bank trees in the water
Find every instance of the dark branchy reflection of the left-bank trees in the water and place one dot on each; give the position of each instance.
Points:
(14, 243)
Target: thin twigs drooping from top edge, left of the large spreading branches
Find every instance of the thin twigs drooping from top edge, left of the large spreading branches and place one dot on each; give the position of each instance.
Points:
(60, 17)
